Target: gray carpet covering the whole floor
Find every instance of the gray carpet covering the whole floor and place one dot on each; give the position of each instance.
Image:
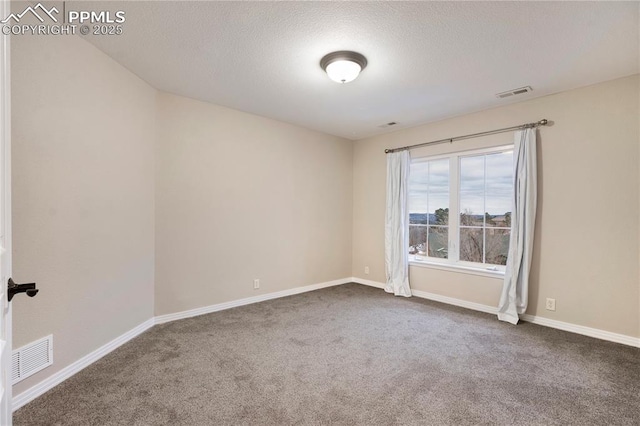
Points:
(350, 355)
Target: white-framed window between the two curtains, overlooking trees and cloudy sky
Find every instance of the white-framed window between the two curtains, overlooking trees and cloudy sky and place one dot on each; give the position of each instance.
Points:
(478, 185)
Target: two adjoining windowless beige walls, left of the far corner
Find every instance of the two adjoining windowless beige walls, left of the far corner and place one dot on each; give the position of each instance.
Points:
(238, 197)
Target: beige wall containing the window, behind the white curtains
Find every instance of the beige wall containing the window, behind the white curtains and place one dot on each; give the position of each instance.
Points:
(586, 254)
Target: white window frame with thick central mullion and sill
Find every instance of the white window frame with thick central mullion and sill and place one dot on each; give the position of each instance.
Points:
(452, 263)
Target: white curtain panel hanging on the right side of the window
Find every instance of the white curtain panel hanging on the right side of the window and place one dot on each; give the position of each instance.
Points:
(514, 298)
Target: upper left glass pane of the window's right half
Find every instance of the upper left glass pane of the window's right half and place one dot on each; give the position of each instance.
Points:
(472, 191)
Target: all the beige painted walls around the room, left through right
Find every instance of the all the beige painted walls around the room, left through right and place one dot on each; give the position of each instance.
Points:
(114, 182)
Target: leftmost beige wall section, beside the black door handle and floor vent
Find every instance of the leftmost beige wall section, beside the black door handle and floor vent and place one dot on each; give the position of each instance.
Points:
(83, 187)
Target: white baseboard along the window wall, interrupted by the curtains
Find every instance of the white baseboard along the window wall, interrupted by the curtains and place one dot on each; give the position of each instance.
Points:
(560, 325)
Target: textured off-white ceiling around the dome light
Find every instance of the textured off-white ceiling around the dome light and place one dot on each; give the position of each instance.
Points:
(427, 60)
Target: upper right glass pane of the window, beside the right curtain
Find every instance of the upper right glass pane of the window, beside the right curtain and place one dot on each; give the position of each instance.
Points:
(499, 189)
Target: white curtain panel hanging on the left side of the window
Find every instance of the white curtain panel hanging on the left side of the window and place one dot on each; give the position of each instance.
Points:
(396, 235)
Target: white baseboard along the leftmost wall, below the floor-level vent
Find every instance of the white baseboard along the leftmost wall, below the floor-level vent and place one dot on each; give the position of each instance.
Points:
(62, 375)
